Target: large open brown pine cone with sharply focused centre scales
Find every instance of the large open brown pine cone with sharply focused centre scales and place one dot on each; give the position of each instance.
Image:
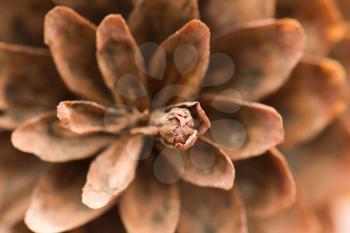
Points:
(149, 104)
